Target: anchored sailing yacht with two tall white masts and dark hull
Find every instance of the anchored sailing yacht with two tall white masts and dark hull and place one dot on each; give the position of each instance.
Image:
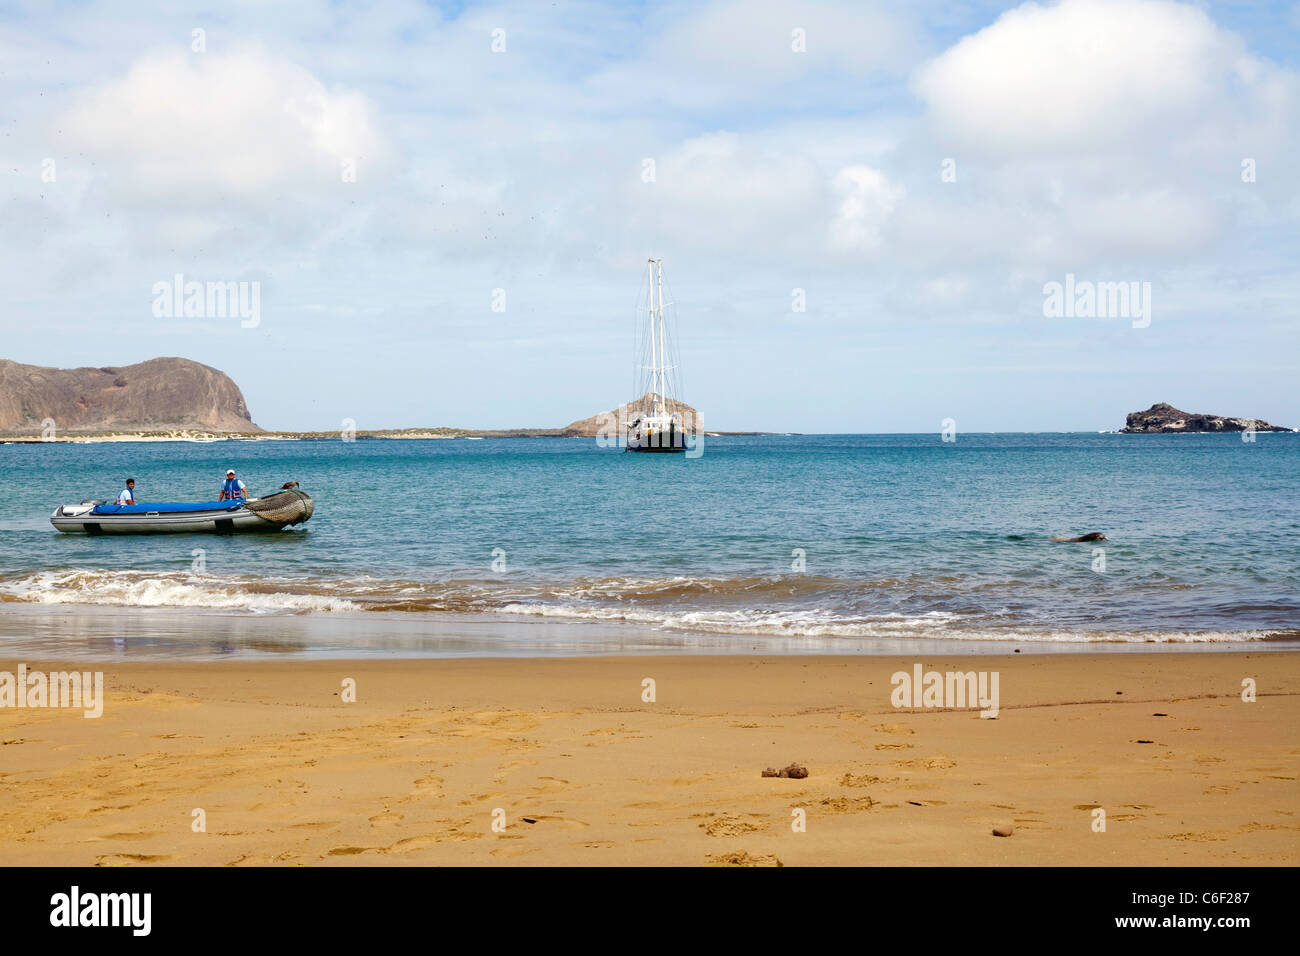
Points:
(657, 418)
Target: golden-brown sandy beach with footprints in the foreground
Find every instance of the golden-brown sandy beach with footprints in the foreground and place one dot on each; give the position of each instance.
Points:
(579, 769)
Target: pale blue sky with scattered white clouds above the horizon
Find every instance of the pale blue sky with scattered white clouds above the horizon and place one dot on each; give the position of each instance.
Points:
(447, 209)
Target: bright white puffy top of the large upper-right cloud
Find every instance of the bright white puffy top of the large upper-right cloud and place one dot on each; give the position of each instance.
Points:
(1082, 75)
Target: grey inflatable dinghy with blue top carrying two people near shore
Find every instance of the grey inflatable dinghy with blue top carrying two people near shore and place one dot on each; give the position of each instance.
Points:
(272, 513)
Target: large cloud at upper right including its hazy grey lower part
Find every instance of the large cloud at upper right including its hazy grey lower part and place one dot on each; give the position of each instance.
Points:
(1100, 132)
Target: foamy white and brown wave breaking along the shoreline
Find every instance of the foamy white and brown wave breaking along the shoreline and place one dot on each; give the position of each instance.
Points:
(937, 608)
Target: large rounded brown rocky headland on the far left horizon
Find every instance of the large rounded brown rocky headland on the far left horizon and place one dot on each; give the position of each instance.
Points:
(159, 393)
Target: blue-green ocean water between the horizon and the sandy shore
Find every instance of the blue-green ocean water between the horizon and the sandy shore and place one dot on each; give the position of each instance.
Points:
(825, 539)
